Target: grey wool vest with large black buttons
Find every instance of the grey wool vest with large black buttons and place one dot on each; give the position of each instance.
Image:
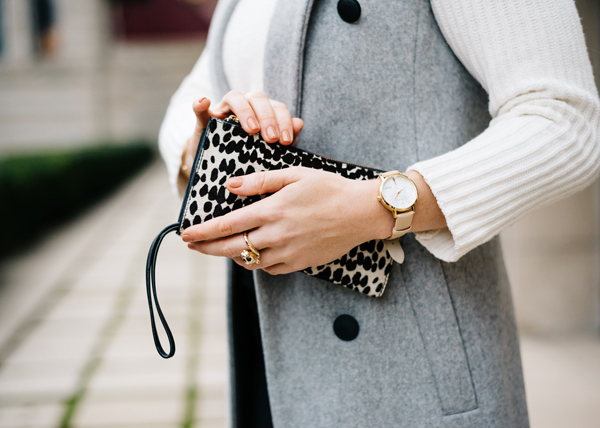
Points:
(440, 348)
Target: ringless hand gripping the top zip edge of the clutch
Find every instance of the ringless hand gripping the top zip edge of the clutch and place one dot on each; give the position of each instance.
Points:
(256, 113)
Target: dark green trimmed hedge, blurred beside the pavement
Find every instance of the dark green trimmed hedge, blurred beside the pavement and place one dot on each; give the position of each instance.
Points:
(39, 191)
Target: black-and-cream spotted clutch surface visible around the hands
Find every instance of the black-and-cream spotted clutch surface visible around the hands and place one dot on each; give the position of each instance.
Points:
(227, 150)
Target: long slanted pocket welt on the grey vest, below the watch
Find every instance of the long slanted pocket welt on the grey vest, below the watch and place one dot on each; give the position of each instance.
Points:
(440, 333)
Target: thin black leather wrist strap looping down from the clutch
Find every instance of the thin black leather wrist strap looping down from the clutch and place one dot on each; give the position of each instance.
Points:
(151, 290)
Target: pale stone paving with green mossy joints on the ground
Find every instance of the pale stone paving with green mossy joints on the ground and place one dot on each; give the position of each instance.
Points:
(76, 349)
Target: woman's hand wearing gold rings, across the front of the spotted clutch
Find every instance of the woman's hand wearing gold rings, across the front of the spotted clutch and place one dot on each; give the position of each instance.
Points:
(313, 217)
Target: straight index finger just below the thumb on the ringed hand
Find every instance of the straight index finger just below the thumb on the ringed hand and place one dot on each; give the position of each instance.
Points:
(238, 221)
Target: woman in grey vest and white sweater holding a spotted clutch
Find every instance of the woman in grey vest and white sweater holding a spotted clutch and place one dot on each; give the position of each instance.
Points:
(396, 85)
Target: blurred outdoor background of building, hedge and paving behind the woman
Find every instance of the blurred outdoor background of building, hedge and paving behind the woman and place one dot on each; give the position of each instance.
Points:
(84, 85)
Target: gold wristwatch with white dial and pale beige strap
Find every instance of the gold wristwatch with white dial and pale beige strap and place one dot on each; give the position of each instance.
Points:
(398, 193)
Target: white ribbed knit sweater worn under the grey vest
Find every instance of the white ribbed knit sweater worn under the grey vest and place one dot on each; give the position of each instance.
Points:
(541, 145)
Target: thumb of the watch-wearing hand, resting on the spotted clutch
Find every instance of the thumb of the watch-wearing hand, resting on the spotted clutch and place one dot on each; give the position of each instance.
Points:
(263, 182)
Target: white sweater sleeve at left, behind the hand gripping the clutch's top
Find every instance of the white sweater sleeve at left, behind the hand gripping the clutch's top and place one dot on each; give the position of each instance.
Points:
(179, 122)
